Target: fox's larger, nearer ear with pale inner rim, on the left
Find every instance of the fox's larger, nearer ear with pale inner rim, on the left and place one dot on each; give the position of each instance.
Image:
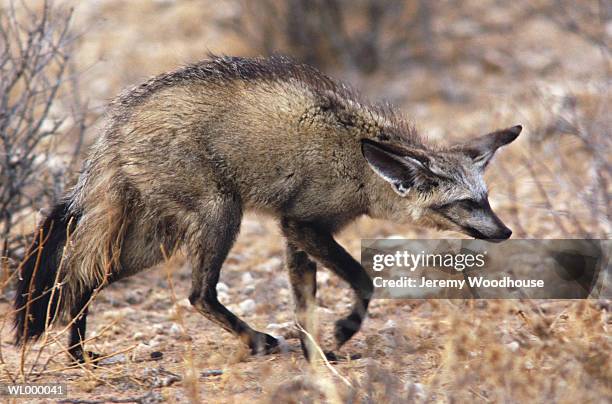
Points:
(401, 167)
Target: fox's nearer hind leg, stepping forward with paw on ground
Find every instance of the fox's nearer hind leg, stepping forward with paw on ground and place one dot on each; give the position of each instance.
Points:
(209, 251)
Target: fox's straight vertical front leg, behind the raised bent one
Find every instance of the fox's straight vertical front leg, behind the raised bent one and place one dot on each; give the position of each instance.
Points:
(303, 278)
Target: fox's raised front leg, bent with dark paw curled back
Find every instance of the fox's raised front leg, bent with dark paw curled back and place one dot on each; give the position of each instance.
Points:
(320, 244)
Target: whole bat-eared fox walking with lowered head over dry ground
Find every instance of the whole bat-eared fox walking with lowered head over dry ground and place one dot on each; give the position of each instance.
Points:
(184, 154)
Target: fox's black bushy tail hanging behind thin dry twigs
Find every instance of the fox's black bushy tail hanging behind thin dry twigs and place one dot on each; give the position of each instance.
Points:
(37, 276)
